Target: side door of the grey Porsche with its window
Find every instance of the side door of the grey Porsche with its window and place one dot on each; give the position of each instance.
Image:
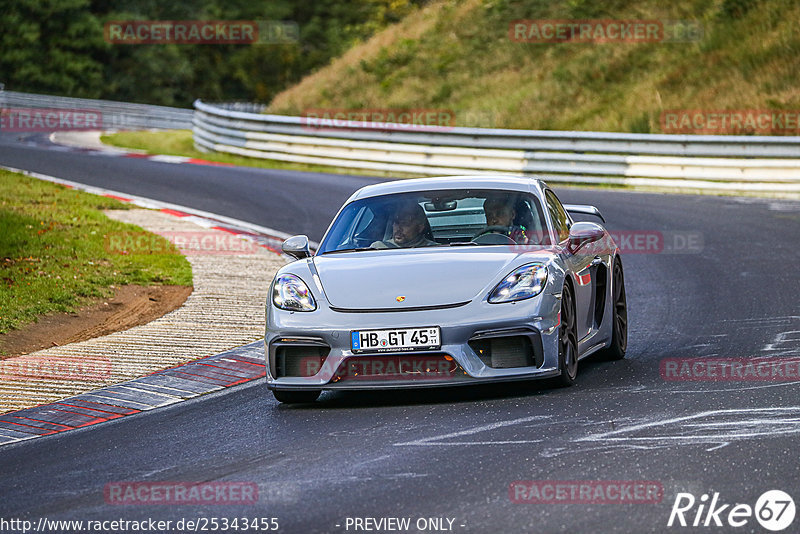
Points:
(580, 265)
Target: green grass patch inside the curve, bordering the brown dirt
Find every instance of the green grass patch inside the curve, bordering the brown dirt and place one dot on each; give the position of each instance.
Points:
(53, 255)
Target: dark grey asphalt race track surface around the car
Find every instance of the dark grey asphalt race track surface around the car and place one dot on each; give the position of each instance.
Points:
(452, 453)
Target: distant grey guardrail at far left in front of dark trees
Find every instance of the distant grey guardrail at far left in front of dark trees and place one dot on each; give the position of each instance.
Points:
(113, 115)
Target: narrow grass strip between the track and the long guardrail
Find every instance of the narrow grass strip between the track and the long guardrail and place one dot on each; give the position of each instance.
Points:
(179, 143)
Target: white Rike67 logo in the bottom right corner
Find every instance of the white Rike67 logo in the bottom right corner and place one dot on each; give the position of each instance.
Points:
(774, 510)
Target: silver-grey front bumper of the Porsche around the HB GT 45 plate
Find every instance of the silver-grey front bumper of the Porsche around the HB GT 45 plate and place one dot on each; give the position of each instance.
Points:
(327, 331)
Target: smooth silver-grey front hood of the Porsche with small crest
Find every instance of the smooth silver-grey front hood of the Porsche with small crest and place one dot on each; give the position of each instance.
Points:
(425, 277)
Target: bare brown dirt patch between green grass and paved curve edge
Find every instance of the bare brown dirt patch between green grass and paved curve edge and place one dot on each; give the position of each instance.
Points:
(131, 305)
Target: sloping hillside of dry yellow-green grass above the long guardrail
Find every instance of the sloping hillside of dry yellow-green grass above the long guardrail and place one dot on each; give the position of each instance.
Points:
(456, 55)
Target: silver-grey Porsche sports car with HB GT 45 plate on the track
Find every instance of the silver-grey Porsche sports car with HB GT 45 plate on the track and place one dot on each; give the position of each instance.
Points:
(441, 282)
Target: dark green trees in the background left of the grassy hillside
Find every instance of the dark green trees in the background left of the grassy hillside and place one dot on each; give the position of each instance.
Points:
(58, 47)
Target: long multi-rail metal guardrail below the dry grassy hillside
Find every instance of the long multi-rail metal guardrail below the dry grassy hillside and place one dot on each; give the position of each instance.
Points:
(754, 163)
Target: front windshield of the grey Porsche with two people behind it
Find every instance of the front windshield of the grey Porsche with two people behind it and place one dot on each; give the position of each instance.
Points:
(439, 218)
